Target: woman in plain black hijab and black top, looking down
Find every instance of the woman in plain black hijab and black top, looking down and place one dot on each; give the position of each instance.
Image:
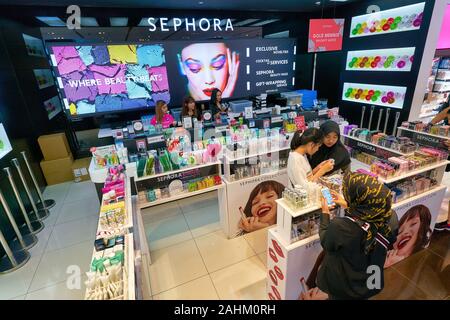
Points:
(332, 148)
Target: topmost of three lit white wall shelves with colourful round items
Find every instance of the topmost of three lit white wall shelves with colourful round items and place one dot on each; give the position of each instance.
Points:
(407, 18)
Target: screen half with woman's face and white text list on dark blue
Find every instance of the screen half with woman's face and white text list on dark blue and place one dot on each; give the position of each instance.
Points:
(239, 68)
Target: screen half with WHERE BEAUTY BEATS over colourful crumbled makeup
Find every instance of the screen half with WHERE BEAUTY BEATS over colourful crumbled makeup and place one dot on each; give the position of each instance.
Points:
(105, 78)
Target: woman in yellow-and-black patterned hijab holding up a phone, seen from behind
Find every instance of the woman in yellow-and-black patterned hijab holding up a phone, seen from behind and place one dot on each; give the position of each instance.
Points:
(357, 241)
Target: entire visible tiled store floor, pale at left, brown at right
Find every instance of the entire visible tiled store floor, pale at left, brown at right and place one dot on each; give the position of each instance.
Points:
(191, 257)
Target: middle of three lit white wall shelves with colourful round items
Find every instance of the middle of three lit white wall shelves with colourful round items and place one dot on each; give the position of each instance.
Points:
(396, 59)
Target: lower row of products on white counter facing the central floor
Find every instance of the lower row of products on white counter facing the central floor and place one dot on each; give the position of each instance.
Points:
(178, 188)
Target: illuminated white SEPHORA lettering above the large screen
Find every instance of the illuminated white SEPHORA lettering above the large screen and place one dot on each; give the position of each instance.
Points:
(189, 24)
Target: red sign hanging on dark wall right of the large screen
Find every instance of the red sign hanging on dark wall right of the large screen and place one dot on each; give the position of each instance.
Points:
(325, 35)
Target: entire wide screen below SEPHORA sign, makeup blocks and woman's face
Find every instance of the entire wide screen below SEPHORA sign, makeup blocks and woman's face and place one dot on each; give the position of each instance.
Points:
(97, 79)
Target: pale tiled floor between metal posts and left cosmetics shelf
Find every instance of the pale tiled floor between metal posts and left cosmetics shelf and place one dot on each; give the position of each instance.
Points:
(66, 241)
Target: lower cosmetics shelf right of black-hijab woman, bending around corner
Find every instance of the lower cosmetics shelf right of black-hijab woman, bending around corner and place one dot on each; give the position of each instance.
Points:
(397, 168)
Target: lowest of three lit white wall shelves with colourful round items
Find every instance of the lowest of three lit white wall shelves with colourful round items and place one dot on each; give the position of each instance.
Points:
(381, 95)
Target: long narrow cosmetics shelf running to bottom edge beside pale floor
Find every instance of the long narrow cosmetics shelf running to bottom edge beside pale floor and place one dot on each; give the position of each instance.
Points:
(112, 262)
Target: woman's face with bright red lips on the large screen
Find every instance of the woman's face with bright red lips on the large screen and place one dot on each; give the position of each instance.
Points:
(206, 67)
